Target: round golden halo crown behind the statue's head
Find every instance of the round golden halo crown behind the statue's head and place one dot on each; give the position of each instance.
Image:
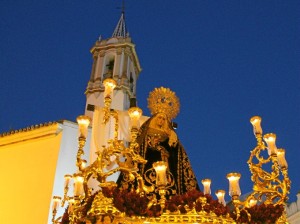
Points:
(163, 100)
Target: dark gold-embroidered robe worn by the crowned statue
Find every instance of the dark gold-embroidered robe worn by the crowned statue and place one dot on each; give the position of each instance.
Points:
(154, 146)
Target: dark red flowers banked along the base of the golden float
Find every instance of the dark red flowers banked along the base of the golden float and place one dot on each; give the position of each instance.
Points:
(135, 204)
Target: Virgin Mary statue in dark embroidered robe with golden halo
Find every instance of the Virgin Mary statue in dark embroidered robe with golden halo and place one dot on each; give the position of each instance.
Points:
(158, 142)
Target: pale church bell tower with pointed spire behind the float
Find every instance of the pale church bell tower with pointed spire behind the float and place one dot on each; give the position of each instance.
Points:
(115, 58)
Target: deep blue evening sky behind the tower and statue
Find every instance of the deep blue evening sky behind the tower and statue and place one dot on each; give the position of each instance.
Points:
(226, 60)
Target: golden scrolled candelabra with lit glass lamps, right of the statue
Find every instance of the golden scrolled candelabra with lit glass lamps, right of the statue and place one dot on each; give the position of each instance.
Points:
(269, 174)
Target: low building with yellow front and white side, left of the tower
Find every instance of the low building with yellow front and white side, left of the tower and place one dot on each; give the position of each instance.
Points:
(37, 160)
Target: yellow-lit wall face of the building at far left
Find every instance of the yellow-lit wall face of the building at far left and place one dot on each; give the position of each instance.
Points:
(27, 168)
